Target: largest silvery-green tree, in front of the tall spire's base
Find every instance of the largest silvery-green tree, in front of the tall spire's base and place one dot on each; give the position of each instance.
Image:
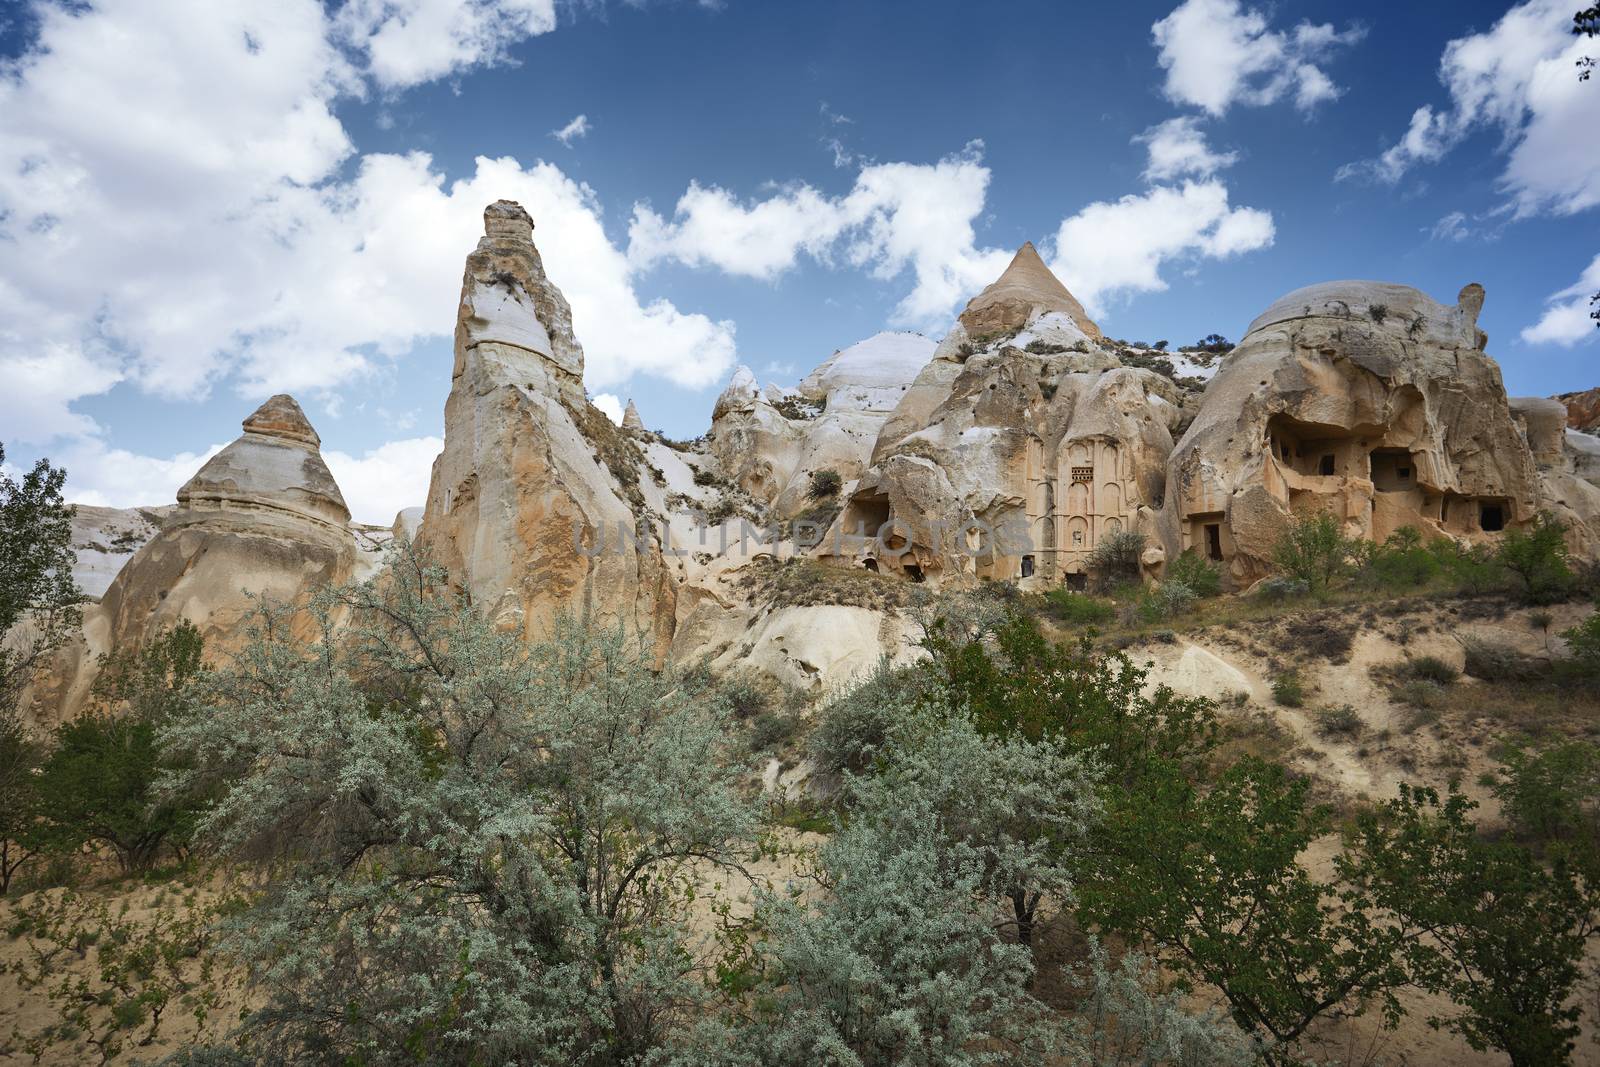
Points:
(486, 849)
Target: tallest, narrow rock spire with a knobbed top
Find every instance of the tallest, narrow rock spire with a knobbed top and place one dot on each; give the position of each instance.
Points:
(535, 500)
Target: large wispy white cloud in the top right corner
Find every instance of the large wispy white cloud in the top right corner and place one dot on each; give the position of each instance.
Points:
(1519, 78)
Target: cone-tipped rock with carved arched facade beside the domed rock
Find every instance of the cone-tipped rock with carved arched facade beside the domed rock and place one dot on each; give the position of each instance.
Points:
(1020, 446)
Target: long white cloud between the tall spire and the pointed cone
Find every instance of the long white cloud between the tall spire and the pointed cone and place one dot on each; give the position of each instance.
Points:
(897, 218)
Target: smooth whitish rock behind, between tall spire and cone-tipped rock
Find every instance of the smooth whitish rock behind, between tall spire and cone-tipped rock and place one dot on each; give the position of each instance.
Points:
(830, 423)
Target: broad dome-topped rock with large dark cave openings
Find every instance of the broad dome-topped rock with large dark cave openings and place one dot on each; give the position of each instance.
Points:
(1361, 399)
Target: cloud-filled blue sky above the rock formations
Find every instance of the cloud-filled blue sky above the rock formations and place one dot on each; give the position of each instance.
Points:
(202, 204)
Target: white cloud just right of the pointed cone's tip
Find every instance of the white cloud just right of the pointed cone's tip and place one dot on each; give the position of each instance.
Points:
(1113, 249)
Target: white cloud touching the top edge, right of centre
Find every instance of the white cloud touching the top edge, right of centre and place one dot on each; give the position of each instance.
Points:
(1218, 54)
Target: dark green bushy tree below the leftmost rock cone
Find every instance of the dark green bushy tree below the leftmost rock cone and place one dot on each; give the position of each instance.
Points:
(98, 783)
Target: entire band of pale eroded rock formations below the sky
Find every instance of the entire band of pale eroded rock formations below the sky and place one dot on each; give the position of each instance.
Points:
(1009, 452)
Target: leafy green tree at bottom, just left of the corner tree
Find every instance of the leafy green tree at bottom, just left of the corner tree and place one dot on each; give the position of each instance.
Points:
(1214, 881)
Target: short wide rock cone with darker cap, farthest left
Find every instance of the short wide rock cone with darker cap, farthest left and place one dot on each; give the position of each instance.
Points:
(262, 519)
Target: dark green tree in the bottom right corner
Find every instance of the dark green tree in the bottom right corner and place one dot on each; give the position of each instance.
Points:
(1506, 933)
